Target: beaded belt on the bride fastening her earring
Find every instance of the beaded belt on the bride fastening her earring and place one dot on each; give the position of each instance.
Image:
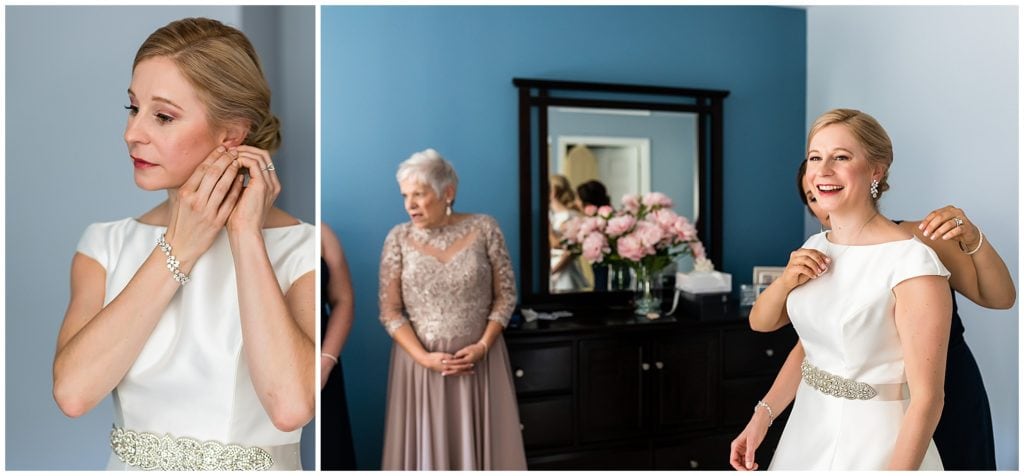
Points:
(150, 452)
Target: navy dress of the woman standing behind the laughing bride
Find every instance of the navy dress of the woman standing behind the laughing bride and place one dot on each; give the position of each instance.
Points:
(964, 436)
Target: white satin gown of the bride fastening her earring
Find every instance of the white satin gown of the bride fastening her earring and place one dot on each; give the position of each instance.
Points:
(191, 379)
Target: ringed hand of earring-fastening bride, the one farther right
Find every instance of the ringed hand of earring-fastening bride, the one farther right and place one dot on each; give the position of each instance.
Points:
(258, 198)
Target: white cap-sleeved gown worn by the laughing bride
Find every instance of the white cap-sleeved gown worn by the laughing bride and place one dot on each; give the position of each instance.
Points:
(846, 323)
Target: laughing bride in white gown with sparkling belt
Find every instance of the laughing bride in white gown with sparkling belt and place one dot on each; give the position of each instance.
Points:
(872, 307)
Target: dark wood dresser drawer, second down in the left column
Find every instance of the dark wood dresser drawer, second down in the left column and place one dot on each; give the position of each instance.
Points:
(546, 422)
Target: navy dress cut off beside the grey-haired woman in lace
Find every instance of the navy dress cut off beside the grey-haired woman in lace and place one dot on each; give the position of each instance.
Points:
(337, 451)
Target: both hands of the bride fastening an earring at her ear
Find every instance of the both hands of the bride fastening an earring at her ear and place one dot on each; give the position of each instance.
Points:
(216, 197)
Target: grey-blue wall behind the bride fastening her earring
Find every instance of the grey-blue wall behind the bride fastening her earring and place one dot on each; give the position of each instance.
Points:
(67, 166)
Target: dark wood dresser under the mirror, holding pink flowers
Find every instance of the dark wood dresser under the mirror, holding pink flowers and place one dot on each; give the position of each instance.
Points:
(608, 391)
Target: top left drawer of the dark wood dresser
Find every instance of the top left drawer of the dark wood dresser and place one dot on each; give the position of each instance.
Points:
(538, 369)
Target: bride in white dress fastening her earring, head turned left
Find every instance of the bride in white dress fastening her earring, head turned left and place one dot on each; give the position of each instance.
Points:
(199, 316)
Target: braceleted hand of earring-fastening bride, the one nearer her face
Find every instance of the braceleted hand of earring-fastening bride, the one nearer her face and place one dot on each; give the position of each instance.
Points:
(202, 206)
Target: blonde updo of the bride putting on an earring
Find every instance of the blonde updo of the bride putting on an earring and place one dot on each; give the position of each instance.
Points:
(223, 66)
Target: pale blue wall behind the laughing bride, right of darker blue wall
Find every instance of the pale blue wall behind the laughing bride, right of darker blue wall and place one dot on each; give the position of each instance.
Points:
(945, 82)
